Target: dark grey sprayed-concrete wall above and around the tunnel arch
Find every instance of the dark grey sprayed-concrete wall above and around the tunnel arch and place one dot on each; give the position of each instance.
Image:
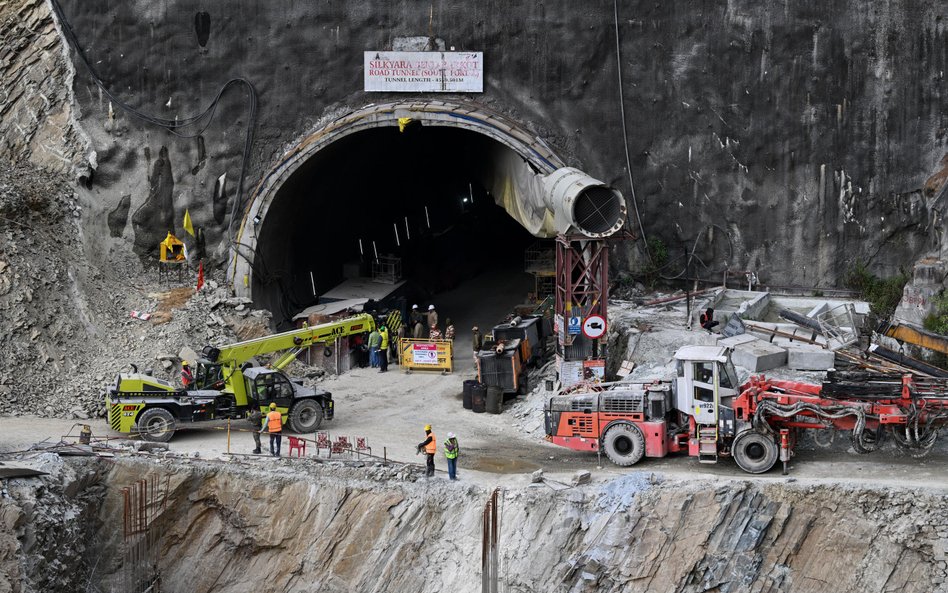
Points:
(792, 141)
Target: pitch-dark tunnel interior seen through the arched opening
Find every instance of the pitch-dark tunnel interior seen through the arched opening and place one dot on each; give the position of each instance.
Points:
(418, 194)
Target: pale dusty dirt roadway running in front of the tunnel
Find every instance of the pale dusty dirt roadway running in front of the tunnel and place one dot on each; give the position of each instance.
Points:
(391, 409)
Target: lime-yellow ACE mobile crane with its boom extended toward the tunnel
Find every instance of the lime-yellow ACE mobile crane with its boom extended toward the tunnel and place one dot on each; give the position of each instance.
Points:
(227, 385)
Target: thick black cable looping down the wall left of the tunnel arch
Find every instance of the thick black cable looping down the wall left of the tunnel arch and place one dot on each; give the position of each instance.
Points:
(173, 125)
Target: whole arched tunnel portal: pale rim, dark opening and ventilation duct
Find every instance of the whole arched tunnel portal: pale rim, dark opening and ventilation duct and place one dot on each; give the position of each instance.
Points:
(455, 192)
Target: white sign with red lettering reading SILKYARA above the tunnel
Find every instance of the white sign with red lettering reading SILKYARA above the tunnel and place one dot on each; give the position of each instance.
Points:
(424, 71)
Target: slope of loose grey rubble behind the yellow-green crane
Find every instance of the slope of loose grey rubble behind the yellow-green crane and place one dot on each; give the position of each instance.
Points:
(67, 316)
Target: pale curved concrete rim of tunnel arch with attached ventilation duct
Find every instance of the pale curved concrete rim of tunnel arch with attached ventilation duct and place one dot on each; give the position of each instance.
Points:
(535, 162)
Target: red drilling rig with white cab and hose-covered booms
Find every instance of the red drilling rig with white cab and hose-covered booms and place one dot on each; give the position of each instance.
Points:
(705, 412)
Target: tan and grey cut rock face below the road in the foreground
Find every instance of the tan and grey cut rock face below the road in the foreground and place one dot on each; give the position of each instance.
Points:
(330, 528)
